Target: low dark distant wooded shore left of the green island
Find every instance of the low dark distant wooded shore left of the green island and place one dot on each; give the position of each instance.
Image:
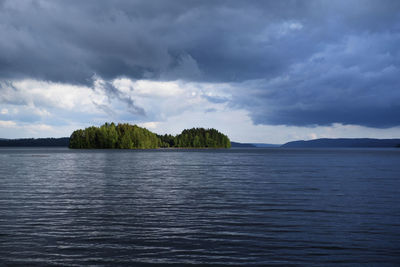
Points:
(32, 142)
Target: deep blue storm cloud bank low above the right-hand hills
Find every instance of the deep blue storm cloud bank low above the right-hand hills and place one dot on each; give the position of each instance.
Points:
(338, 85)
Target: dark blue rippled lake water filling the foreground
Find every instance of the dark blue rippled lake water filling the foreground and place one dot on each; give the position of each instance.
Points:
(238, 206)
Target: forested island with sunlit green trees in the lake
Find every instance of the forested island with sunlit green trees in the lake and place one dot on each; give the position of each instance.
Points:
(126, 136)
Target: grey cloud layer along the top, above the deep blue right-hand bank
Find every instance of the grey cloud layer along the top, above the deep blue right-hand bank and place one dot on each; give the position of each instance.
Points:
(69, 42)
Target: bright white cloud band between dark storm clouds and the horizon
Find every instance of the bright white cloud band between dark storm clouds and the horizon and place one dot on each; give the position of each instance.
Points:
(44, 109)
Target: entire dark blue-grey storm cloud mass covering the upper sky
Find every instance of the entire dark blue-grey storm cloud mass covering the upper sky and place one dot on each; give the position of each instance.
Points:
(297, 62)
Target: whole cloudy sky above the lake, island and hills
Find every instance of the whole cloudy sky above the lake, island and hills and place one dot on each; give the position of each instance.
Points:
(258, 71)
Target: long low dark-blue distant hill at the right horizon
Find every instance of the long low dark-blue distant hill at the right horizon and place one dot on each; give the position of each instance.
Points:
(345, 142)
